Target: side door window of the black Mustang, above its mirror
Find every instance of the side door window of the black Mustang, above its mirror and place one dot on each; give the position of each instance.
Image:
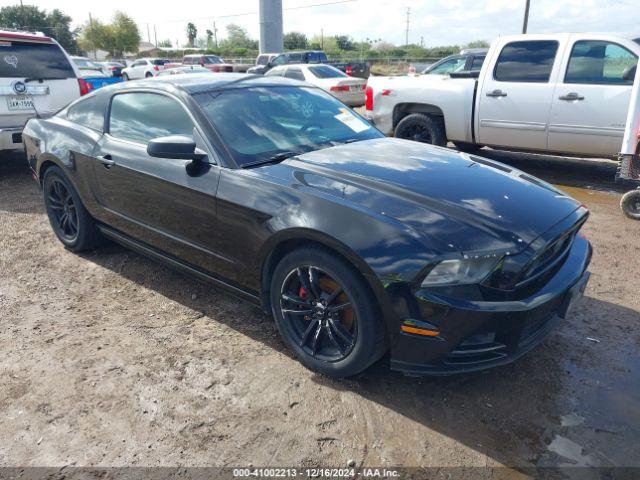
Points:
(140, 117)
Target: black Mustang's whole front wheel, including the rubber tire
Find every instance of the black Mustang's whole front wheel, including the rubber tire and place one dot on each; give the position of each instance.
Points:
(326, 313)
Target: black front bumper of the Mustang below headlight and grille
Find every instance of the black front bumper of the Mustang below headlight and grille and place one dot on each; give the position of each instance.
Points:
(476, 335)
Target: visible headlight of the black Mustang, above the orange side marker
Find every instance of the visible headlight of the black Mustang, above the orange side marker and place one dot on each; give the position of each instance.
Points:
(464, 271)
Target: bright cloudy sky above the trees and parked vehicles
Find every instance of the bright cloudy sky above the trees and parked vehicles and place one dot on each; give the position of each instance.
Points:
(432, 22)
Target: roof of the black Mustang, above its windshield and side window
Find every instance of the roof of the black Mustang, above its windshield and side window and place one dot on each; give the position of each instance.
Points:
(205, 82)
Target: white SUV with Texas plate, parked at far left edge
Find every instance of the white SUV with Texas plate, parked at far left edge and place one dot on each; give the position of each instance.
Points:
(37, 77)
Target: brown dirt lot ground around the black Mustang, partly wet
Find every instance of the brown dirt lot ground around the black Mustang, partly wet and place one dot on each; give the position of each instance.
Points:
(110, 359)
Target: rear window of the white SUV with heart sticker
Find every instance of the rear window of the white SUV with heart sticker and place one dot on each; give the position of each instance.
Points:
(33, 60)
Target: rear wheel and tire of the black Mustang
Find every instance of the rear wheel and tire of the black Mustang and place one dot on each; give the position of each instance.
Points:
(70, 221)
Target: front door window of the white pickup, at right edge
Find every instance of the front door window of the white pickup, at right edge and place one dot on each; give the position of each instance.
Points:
(600, 62)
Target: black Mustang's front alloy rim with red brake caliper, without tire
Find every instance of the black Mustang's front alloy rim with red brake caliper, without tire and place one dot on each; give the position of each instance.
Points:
(320, 312)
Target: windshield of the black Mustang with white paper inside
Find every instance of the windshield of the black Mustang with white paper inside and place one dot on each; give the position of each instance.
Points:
(257, 124)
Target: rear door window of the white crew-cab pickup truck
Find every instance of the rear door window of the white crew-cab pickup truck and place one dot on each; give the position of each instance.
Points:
(529, 61)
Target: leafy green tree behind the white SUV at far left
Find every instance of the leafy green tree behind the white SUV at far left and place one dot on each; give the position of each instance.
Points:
(55, 23)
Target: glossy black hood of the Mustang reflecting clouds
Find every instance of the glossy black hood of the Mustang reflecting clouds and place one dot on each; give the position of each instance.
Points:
(461, 202)
